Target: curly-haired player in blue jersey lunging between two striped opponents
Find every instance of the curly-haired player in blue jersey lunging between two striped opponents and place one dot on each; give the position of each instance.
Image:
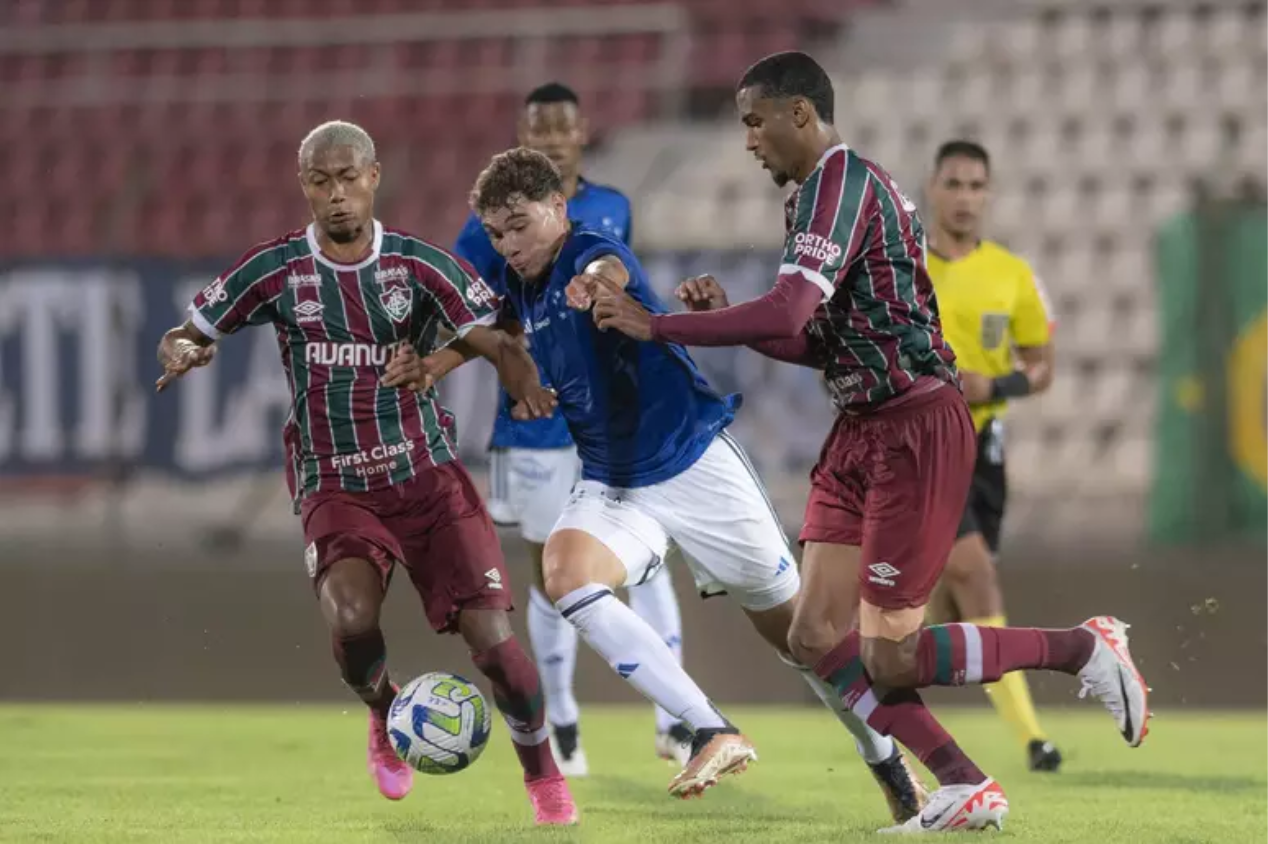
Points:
(659, 470)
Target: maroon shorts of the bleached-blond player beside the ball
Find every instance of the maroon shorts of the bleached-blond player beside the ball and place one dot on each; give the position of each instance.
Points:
(434, 525)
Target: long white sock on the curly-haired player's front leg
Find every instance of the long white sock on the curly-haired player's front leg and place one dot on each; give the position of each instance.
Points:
(637, 653)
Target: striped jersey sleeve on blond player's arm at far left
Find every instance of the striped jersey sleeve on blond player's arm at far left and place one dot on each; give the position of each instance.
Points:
(243, 296)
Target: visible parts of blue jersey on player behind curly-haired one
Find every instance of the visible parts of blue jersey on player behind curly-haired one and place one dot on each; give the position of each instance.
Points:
(597, 207)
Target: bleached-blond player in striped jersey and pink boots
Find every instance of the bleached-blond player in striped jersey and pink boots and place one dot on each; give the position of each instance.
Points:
(373, 457)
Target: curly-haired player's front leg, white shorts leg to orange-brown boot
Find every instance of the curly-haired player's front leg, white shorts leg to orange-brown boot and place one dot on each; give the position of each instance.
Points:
(603, 543)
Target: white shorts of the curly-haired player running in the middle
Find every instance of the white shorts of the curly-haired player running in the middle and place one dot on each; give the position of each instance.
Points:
(717, 513)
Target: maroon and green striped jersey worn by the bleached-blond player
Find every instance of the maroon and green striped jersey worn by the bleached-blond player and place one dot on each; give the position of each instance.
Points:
(338, 326)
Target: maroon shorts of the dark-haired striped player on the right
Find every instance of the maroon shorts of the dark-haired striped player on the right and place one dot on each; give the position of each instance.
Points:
(896, 482)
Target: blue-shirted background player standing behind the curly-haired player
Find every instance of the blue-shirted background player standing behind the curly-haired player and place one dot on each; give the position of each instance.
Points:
(534, 464)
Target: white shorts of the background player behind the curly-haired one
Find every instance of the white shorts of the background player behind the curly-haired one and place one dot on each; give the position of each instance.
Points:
(529, 487)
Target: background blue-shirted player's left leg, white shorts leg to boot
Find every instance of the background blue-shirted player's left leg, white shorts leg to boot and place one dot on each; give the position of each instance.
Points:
(542, 480)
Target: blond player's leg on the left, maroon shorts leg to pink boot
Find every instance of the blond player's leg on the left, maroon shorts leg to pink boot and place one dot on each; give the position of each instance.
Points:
(349, 561)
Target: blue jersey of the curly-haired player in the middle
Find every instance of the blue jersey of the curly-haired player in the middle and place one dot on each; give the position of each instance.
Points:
(640, 412)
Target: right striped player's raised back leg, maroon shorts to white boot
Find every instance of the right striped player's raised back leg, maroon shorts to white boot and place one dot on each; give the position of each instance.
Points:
(919, 506)
